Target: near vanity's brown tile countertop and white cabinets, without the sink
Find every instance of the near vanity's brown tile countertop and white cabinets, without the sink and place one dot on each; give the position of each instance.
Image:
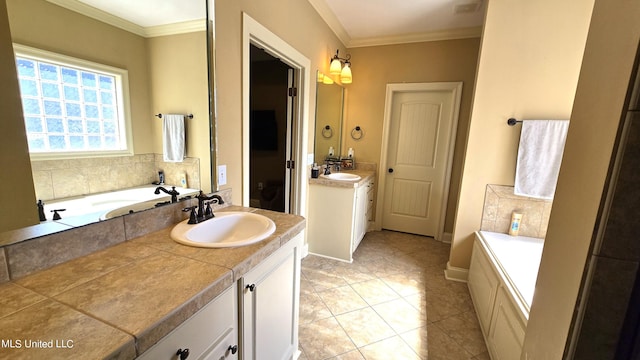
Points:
(154, 298)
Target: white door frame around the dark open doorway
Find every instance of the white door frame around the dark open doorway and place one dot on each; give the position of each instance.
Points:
(254, 33)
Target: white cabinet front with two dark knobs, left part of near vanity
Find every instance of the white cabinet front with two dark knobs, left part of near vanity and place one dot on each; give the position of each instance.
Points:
(210, 334)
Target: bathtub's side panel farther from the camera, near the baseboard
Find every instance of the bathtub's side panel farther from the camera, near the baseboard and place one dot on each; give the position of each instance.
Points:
(483, 285)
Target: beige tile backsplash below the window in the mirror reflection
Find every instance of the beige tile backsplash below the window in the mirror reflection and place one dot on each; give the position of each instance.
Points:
(57, 179)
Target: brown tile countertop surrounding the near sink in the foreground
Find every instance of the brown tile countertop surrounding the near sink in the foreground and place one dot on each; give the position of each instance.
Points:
(118, 302)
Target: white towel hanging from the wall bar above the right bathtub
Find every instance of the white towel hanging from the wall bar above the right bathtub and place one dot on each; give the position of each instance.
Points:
(539, 157)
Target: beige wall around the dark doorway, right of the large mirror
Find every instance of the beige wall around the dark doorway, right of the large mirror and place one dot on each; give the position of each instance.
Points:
(306, 32)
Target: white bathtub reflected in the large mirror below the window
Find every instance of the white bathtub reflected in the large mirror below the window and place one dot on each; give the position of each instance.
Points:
(91, 208)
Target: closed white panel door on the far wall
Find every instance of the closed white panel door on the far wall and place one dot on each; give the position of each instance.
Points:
(421, 125)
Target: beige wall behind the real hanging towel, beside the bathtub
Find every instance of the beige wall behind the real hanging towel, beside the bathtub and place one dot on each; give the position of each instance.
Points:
(528, 69)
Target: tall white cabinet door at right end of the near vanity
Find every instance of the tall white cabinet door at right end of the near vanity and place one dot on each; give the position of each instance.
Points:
(269, 300)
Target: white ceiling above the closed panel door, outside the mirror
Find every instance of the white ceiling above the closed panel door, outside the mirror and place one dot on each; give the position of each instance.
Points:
(382, 22)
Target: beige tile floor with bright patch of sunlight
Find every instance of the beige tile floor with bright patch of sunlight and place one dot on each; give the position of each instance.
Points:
(392, 302)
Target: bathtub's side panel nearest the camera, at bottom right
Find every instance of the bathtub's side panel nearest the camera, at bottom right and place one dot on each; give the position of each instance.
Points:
(507, 330)
